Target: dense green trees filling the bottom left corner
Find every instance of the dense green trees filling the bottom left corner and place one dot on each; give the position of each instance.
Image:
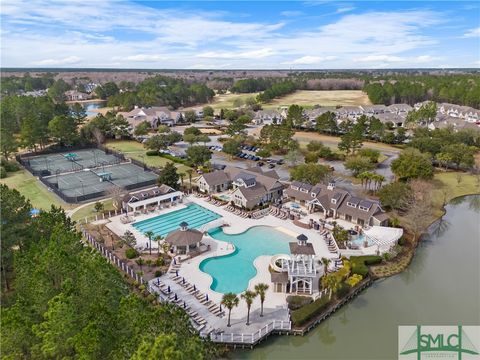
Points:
(61, 299)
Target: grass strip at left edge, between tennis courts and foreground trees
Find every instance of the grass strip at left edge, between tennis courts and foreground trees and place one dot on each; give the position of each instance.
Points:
(34, 190)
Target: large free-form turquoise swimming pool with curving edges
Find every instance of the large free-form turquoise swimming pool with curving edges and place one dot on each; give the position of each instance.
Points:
(231, 273)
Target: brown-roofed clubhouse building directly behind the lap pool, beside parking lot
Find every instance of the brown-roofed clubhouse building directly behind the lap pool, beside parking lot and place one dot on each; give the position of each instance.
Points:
(249, 187)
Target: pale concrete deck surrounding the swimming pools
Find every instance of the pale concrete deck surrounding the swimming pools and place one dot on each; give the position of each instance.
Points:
(275, 307)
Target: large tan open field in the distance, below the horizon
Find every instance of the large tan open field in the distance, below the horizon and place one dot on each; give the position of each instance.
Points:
(309, 98)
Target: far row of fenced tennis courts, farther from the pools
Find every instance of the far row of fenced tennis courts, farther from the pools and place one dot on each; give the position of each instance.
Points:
(60, 163)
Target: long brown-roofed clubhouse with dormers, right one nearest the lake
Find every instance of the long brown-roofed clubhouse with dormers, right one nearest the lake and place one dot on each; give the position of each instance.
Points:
(337, 203)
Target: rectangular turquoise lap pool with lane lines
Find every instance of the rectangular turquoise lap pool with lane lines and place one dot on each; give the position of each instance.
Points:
(195, 215)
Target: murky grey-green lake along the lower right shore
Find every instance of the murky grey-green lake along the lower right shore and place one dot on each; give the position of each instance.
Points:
(440, 287)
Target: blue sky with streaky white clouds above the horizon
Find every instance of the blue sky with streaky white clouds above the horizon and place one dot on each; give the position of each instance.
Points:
(239, 34)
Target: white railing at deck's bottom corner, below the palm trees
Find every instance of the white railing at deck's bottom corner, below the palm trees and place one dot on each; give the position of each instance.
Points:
(252, 338)
